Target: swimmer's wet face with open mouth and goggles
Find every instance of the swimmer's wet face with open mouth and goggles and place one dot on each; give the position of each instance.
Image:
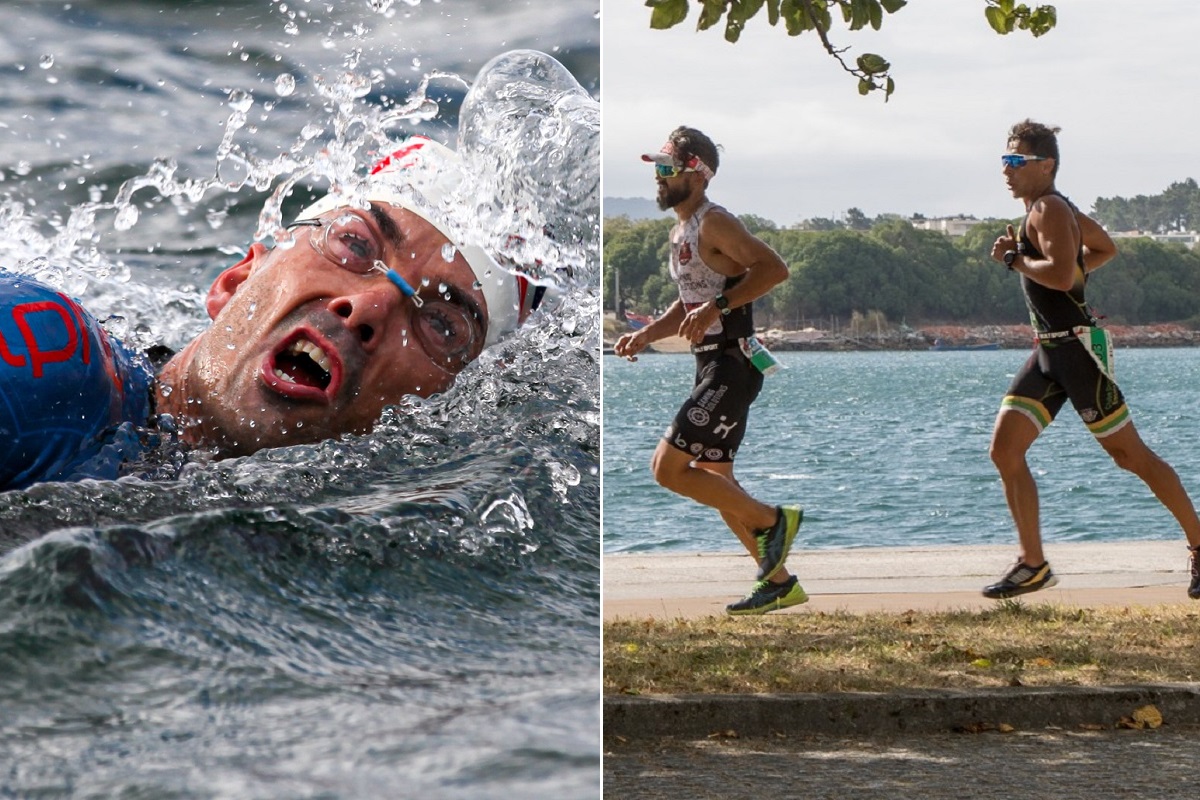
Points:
(303, 350)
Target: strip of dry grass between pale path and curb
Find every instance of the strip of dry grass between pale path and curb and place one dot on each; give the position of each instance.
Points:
(1012, 645)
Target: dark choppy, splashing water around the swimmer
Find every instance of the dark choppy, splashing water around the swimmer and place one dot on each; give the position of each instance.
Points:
(411, 613)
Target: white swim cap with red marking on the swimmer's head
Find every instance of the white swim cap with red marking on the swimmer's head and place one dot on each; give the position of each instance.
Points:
(423, 169)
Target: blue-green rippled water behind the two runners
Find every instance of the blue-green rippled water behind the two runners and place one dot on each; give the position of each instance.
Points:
(891, 450)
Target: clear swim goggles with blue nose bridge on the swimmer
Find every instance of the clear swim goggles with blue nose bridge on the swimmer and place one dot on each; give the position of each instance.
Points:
(447, 324)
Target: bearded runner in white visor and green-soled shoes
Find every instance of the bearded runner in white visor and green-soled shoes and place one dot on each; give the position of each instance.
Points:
(721, 269)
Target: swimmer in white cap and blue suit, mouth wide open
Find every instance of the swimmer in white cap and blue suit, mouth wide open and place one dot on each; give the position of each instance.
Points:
(371, 302)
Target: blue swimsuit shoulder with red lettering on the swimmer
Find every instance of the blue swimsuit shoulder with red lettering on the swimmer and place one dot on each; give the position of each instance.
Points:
(71, 396)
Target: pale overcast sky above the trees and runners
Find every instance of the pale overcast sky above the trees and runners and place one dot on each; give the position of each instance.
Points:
(1121, 80)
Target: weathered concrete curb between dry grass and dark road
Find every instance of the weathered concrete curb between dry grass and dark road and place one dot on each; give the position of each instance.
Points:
(916, 712)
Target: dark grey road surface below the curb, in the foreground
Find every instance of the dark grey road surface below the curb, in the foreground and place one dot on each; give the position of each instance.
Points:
(1060, 765)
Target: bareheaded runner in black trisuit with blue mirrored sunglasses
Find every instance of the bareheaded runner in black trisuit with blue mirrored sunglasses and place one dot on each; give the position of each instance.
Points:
(1054, 250)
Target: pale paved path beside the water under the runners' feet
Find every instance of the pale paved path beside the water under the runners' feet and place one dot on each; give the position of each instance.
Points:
(892, 579)
